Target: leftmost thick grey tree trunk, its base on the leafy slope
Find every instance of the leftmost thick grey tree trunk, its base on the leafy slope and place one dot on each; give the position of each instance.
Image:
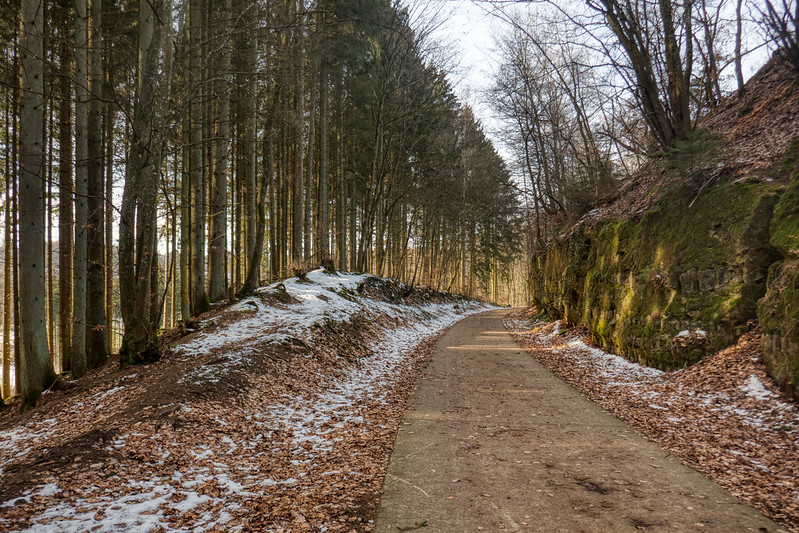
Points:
(38, 372)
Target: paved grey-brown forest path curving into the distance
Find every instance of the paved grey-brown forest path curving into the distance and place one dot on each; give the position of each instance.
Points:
(492, 441)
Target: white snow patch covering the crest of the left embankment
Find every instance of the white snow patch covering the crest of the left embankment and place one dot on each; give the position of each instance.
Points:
(290, 311)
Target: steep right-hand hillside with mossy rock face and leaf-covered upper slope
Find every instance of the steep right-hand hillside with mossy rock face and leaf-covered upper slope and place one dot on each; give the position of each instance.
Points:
(678, 264)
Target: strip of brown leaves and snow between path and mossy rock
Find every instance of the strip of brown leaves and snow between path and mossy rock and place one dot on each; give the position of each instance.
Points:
(723, 416)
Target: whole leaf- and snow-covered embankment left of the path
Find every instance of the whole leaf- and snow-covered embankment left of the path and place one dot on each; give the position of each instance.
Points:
(277, 414)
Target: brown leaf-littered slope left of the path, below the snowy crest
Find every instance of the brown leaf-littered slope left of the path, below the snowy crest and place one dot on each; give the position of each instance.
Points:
(174, 455)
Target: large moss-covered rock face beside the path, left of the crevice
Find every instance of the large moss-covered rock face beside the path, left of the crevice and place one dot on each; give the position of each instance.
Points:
(696, 267)
